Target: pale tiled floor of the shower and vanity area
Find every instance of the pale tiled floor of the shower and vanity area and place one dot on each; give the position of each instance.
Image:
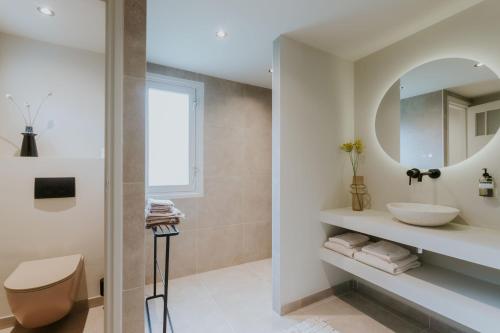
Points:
(238, 300)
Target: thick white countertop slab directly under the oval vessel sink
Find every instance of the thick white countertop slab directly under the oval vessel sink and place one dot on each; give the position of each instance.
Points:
(474, 244)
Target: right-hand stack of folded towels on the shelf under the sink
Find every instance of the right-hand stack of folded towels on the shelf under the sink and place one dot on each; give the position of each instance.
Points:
(388, 257)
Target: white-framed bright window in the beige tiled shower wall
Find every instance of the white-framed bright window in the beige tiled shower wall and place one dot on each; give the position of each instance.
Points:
(174, 137)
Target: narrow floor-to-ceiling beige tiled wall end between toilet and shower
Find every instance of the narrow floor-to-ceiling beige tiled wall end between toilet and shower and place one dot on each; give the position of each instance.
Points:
(133, 166)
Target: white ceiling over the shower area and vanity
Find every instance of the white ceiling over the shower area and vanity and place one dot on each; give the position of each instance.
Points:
(181, 33)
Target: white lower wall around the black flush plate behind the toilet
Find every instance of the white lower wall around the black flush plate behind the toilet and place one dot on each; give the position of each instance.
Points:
(34, 229)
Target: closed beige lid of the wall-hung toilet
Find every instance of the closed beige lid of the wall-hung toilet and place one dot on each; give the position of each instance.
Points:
(40, 274)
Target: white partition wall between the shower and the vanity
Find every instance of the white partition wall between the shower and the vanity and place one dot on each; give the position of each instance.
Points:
(312, 115)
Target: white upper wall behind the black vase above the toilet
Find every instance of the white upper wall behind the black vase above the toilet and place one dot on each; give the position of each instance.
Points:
(28, 70)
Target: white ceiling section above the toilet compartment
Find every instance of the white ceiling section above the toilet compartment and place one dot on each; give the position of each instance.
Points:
(77, 23)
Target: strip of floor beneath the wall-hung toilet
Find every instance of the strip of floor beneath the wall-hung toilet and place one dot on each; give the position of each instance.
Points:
(83, 321)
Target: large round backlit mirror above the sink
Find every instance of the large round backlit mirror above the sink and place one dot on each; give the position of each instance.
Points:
(440, 113)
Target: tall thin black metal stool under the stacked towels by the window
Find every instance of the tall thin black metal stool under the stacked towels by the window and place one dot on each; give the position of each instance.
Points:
(161, 231)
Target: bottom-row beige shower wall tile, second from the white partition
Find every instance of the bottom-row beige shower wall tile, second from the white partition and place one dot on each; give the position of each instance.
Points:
(219, 247)
